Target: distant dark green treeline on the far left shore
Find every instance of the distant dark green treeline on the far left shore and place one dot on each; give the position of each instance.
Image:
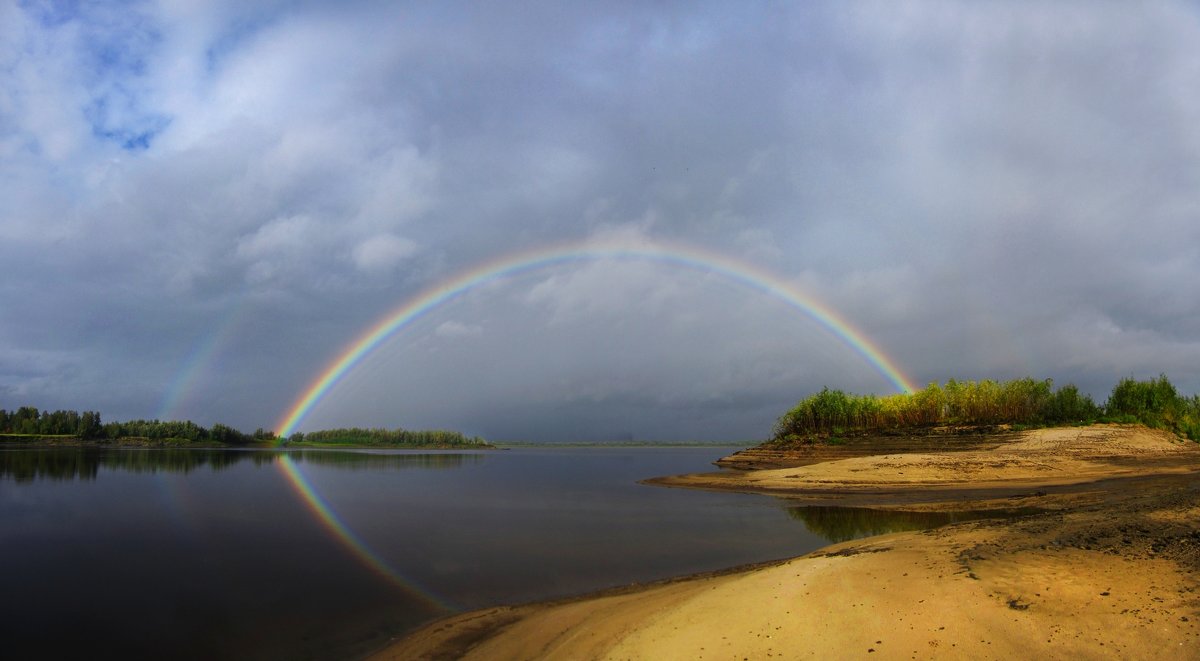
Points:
(31, 426)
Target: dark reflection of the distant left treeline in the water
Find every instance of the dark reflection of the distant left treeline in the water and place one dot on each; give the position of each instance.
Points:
(85, 464)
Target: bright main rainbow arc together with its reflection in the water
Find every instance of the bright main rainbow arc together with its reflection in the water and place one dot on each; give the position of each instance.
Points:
(745, 274)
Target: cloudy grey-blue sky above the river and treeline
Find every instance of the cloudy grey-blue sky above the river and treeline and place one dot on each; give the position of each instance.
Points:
(205, 205)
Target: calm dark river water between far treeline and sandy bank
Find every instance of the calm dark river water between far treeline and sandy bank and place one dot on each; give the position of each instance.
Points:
(190, 554)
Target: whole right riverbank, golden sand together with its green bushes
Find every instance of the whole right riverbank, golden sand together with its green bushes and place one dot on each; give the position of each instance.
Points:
(1082, 540)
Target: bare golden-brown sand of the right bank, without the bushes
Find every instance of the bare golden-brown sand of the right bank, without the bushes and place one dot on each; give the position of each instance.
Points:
(1109, 570)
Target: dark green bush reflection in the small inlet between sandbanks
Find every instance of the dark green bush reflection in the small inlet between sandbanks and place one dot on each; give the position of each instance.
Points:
(839, 525)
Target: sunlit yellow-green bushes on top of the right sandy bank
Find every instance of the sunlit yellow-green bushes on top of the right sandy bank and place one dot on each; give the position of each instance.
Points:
(1019, 404)
